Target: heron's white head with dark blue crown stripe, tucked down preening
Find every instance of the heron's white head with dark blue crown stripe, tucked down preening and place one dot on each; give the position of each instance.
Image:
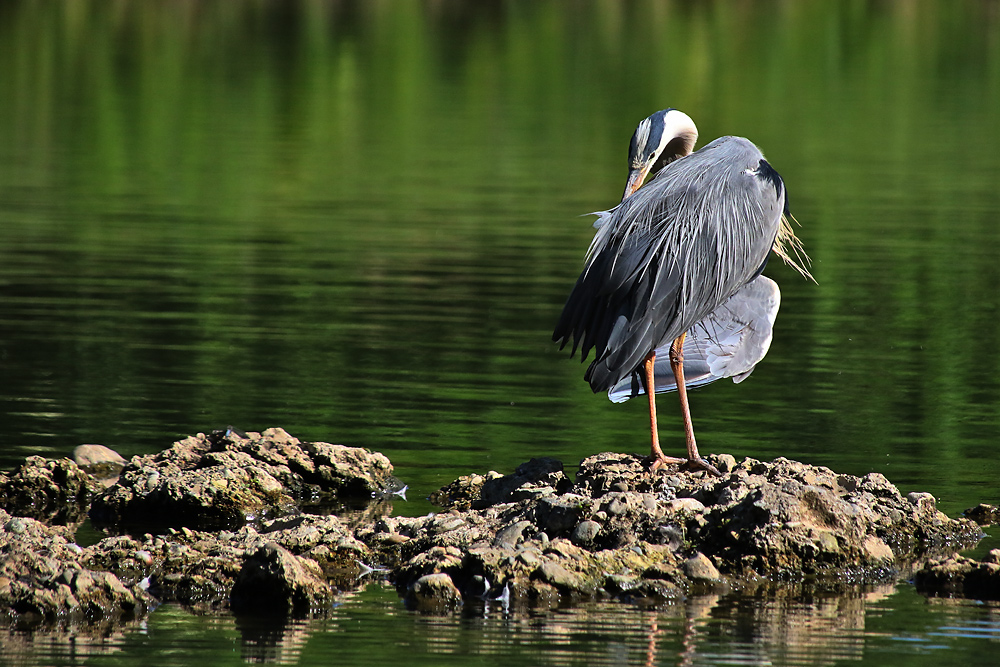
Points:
(658, 140)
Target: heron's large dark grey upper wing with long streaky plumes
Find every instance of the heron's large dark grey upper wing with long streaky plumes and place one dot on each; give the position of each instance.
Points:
(669, 254)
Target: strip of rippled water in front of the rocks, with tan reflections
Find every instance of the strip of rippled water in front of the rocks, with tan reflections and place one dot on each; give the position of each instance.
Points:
(873, 627)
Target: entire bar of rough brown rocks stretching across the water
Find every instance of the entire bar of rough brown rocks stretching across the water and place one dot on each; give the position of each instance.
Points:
(229, 521)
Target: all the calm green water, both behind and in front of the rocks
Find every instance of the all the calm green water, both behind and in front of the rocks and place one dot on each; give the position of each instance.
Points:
(358, 221)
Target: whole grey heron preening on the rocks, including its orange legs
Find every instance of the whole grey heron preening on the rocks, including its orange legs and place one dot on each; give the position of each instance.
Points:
(675, 269)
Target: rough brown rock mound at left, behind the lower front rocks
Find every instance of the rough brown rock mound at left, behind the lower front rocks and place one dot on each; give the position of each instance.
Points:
(229, 478)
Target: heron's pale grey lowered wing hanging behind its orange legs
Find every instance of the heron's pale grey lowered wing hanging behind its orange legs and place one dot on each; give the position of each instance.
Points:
(729, 342)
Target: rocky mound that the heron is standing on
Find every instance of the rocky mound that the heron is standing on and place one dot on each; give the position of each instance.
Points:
(620, 531)
